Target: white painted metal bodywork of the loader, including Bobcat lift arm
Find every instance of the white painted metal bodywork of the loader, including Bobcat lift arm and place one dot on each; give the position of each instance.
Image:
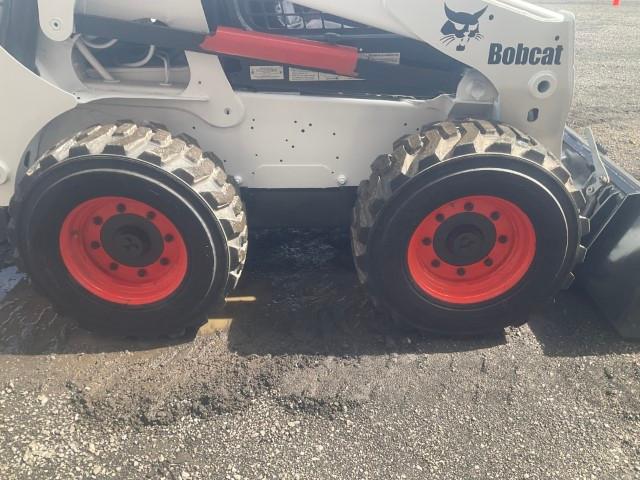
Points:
(520, 72)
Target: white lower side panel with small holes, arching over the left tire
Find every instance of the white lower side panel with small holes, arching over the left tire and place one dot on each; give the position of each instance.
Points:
(284, 141)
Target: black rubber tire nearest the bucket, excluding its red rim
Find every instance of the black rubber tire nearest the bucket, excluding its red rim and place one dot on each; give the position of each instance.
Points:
(452, 160)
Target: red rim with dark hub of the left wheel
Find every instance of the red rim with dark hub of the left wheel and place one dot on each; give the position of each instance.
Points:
(123, 251)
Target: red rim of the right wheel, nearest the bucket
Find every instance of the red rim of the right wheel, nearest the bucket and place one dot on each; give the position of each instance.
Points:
(500, 266)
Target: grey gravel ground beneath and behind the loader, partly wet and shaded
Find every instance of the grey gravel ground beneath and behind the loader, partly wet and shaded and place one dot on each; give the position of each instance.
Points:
(309, 383)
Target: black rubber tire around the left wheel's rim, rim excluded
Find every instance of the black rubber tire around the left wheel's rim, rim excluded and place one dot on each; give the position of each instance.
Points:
(145, 163)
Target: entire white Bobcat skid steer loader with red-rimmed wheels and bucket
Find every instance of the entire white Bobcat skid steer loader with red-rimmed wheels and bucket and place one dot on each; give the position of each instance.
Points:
(139, 141)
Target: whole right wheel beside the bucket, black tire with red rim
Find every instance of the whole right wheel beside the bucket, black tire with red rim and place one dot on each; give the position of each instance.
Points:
(465, 227)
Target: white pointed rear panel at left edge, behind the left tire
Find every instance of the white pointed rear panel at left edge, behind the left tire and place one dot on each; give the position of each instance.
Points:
(28, 104)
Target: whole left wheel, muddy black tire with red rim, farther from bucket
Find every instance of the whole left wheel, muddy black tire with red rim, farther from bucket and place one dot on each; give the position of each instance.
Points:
(129, 230)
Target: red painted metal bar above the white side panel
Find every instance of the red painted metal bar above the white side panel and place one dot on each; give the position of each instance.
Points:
(280, 49)
